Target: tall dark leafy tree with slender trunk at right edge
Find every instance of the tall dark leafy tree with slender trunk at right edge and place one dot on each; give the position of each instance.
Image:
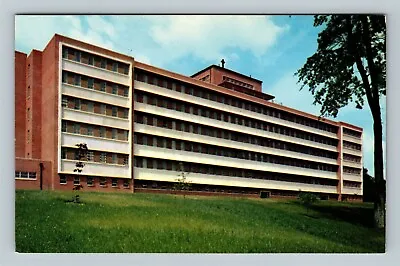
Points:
(349, 66)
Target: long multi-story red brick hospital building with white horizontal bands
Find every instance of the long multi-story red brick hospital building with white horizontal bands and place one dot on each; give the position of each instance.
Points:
(142, 124)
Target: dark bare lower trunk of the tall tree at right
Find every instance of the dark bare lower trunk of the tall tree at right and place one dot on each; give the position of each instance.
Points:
(380, 191)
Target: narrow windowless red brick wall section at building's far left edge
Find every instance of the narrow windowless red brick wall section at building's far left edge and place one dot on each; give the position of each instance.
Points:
(20, 104)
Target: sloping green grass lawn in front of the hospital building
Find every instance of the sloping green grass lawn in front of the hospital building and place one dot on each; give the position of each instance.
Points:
(148, 223)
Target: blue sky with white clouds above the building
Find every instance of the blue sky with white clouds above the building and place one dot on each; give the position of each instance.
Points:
(269, 48)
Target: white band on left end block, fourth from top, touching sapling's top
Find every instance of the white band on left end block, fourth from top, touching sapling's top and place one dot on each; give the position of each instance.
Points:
(95, 143)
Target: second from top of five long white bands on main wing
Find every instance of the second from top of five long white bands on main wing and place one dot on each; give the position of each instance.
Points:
(225, 125)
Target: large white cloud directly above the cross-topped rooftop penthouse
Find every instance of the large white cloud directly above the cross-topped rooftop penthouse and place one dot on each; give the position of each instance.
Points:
(206, 37)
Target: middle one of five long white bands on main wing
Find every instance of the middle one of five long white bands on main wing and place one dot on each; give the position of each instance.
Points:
(164, 132)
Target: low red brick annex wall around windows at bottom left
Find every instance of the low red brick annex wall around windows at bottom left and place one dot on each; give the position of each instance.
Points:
(33, 165)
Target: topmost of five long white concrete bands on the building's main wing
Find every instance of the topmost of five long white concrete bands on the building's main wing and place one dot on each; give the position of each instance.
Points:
(227, 108)
